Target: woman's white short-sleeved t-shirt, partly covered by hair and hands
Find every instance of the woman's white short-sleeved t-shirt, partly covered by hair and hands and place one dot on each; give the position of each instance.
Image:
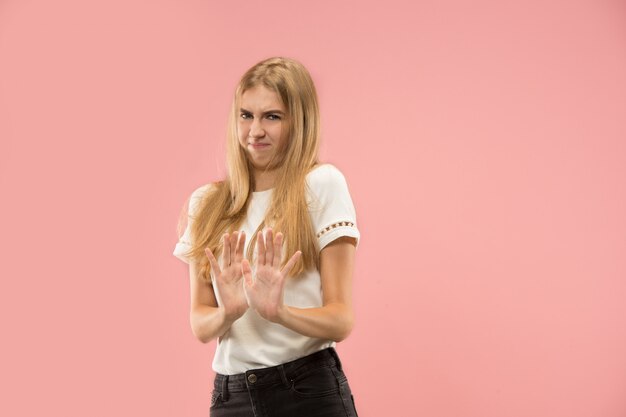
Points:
(253, 342)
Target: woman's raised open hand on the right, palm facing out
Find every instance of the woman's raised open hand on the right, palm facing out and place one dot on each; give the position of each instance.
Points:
(265, 292)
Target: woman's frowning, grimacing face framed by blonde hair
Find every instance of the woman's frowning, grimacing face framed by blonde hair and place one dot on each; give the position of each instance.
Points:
(262, 126)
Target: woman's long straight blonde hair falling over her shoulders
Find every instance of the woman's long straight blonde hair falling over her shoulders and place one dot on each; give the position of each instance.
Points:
(224, 207)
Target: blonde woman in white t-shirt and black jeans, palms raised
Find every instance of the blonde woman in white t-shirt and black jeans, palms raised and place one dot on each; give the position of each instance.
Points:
(277, 317)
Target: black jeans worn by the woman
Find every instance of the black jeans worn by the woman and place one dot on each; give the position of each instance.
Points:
(314, 385)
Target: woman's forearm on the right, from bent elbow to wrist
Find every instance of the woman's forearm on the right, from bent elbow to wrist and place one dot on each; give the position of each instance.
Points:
(332, 321)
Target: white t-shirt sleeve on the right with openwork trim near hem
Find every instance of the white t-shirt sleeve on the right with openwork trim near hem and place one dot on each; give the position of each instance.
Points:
(330, 205)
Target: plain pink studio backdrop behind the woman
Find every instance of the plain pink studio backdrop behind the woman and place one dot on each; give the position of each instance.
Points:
(484, 145)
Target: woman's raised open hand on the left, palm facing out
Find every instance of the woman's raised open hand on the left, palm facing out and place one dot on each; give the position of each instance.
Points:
(230, 278)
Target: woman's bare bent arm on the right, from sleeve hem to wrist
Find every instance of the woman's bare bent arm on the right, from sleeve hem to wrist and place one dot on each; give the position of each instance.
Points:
(335, 319)
